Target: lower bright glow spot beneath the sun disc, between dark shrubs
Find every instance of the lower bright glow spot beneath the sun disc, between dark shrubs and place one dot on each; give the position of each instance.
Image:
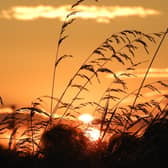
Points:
(92, 133)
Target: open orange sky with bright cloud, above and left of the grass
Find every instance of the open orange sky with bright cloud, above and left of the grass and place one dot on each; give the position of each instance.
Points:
(29, 31)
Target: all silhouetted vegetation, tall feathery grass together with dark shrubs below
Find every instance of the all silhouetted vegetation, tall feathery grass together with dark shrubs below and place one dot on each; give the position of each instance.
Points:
(137, 131)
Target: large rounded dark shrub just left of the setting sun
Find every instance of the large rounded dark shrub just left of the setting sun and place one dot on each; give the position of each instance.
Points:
(65, 145)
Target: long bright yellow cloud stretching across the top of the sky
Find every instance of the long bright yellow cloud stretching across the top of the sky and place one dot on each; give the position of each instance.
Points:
(99, 13)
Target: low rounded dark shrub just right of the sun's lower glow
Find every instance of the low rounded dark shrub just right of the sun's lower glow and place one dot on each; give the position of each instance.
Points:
(122, 150)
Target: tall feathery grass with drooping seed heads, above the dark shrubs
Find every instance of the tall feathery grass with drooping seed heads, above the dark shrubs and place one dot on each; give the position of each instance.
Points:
(119, 48)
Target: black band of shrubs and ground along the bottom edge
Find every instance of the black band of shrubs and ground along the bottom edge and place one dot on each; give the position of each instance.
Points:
(65, 146)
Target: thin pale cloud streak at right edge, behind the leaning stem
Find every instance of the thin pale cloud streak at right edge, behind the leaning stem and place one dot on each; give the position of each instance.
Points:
(153, 73)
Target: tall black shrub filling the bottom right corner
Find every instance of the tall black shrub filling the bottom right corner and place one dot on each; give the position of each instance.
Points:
(155, 144)
